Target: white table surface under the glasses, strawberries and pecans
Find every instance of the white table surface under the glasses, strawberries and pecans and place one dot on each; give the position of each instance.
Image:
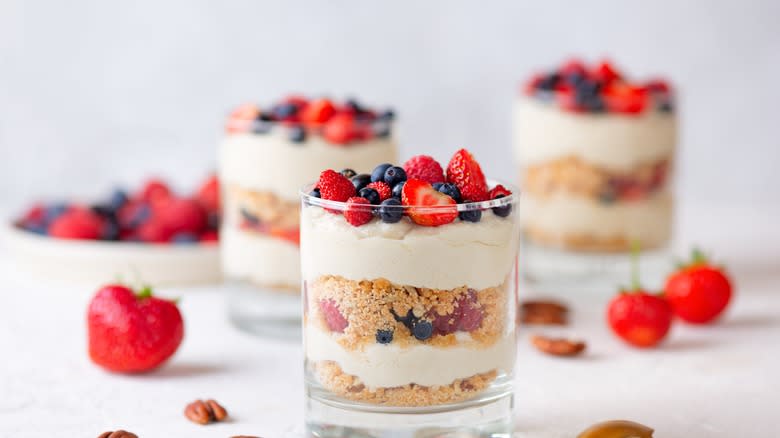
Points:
(719, 381)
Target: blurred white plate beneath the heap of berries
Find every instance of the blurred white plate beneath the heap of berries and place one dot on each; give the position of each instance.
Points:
(94, 262)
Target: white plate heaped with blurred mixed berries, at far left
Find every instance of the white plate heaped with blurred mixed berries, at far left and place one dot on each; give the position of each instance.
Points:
(151, 234)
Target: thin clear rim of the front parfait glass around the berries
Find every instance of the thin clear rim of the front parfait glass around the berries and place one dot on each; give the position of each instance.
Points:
(466, 206)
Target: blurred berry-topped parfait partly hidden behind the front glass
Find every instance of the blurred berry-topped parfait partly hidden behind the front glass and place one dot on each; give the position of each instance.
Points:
(265, 157)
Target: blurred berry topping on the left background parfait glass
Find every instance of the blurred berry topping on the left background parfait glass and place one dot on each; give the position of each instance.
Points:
(298, 117)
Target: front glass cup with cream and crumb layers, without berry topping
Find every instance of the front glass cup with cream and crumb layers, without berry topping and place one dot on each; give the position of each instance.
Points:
(409, 331)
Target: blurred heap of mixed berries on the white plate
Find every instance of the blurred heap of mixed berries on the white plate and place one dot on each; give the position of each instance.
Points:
(153, 214)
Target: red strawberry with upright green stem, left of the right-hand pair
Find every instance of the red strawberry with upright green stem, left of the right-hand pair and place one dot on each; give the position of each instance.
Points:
(640, 318)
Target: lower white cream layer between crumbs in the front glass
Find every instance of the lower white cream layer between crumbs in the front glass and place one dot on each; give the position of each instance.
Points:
(387, 366)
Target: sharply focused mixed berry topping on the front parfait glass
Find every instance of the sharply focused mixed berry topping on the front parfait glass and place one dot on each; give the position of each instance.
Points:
(420, 190)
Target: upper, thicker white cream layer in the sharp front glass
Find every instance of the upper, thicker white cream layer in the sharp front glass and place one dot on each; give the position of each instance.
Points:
(478, 255)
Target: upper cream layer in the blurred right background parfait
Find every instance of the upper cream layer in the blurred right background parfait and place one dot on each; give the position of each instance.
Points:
(544, 132)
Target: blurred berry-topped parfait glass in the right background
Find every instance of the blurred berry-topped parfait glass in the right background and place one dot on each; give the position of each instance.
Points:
(595, 152)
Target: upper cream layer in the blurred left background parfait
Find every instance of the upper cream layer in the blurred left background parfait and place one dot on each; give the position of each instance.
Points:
(274, 163)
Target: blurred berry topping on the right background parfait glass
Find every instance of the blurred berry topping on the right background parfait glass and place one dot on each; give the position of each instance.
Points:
(599, 88)
